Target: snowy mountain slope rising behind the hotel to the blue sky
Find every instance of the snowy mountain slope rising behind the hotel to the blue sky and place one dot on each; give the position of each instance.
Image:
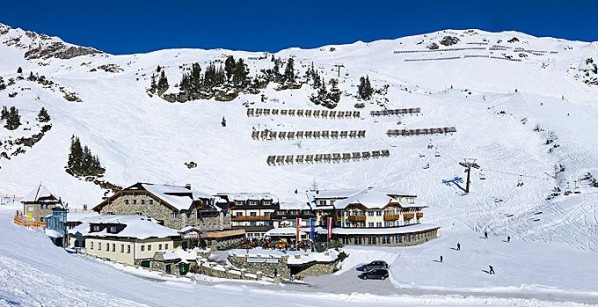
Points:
(142, 138)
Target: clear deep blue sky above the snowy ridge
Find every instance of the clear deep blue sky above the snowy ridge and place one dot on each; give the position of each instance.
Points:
(132, 26)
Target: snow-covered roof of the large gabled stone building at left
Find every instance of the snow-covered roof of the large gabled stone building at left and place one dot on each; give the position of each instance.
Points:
(177, 196)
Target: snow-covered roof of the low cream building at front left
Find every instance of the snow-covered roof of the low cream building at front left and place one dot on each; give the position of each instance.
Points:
(136, 227)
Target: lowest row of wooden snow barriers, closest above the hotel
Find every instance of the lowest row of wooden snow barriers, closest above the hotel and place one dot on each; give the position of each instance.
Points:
(336, 157)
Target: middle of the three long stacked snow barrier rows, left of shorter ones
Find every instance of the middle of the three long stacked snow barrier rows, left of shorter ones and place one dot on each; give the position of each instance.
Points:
(269, 135)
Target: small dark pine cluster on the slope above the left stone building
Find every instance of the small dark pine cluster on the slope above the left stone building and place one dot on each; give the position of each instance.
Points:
(82, 162)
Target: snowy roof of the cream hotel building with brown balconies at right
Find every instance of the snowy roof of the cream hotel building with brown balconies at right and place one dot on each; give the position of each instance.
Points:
(372, 198)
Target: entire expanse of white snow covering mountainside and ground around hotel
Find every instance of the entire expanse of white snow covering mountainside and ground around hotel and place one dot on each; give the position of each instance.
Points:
(496, 105)
